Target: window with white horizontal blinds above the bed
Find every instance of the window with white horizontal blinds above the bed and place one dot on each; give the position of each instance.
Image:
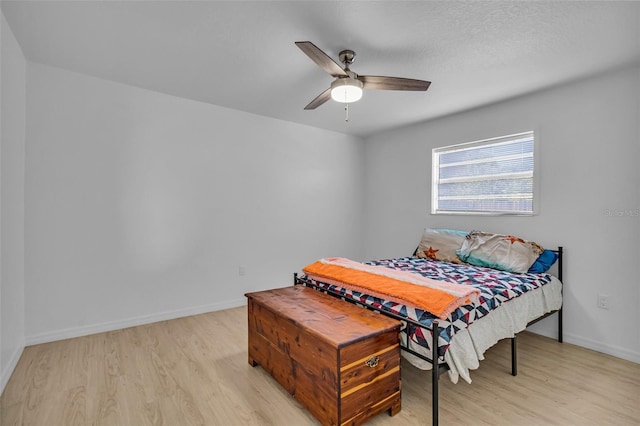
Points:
(492, 176)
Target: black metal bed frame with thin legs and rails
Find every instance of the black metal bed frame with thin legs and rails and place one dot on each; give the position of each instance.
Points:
(437, 367)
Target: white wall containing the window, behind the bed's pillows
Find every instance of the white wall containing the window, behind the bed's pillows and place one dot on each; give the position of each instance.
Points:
(588, 137)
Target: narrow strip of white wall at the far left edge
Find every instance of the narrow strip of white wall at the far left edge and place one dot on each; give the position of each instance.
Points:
(12, 148)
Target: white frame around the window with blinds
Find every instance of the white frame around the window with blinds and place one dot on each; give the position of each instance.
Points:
(435, 169)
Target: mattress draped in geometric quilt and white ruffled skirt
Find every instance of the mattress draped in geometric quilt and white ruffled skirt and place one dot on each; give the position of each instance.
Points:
(507, 304)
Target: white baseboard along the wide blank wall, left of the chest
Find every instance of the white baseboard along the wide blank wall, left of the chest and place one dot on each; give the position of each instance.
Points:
(69, 333)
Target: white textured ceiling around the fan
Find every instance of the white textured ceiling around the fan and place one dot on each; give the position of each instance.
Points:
(241, 54)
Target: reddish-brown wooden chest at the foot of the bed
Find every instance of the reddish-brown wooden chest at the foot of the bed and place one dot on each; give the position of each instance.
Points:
(339, 360)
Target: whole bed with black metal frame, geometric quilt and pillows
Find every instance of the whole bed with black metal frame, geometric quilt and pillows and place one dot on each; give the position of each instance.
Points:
(503, 300)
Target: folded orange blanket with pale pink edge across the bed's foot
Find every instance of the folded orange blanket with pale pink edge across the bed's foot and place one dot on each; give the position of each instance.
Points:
(439, 298)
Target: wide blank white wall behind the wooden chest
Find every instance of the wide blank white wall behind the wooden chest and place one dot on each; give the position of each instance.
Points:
(142, 206)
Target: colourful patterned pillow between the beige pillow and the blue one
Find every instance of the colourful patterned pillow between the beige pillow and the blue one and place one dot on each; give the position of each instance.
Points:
(504, 252)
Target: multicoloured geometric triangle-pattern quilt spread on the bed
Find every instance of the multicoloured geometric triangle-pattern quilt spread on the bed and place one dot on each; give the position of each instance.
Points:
(496, 287)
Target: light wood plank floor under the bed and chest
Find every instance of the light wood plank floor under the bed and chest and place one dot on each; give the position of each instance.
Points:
(194, 371)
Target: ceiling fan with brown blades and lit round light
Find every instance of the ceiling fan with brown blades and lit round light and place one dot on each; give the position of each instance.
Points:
(348, 86)
